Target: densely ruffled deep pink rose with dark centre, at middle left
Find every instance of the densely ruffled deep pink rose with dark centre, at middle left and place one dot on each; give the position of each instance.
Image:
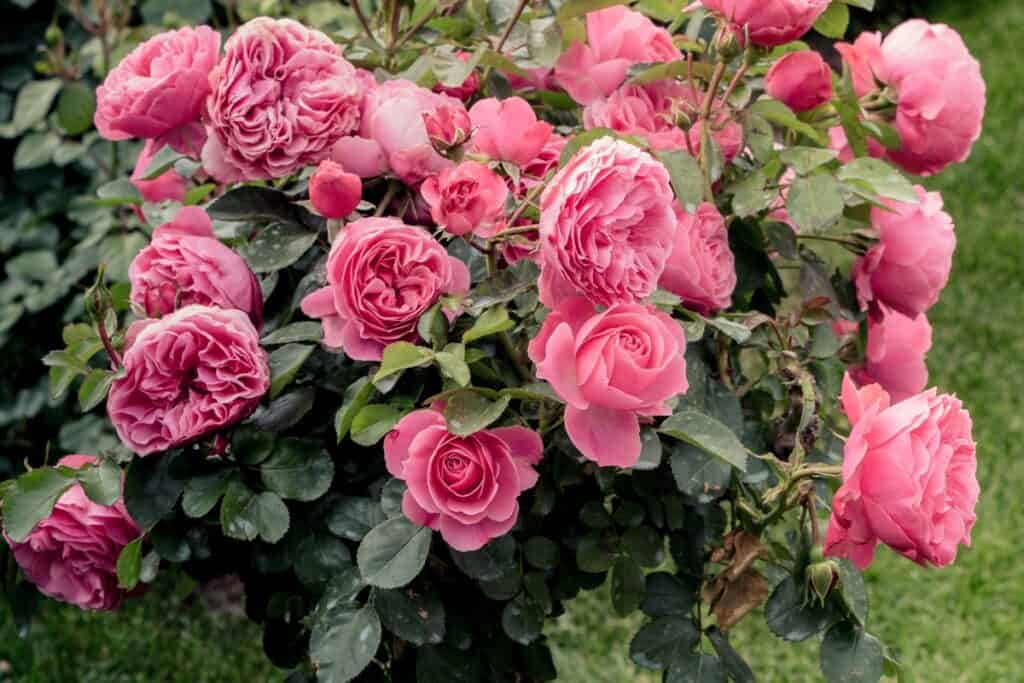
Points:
(188, 375)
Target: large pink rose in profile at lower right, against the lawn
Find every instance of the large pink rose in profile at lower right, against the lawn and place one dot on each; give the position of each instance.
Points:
(909, 479)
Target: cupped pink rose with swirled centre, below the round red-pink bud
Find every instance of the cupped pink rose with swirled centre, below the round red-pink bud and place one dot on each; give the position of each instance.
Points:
(382, 276)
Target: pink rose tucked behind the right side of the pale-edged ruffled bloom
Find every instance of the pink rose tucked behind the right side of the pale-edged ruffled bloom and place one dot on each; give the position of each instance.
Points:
(702, 270)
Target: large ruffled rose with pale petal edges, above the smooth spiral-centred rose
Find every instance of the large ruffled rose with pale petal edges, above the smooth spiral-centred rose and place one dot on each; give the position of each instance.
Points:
(607, 226)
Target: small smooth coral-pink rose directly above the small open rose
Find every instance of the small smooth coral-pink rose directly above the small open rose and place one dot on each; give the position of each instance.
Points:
(507, 131)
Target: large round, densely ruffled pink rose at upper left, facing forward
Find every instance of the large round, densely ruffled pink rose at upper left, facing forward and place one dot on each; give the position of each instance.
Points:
(282, 97)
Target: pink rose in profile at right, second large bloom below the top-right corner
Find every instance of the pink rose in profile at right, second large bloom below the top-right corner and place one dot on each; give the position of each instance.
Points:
(911, 265)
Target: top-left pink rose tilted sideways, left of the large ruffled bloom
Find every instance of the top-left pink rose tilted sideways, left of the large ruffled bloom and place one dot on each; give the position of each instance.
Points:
(159, 88)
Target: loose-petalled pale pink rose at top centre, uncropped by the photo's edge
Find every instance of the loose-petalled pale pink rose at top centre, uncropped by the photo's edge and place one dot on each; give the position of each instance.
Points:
(617, 39)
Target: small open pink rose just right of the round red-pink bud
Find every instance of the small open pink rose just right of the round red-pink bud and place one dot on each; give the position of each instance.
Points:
(466, 199)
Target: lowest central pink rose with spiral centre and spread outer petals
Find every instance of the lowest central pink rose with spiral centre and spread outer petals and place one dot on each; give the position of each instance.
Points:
(467, 488)
